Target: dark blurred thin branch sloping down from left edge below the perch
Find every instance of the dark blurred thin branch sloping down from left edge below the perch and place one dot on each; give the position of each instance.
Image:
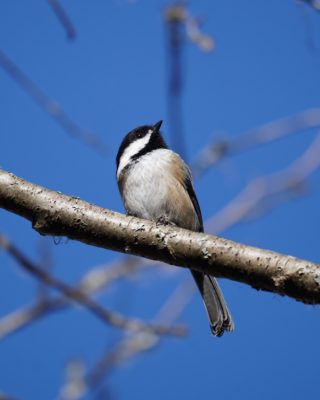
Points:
(78, 296)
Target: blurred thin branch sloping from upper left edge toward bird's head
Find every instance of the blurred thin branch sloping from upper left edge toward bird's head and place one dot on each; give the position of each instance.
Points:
(51, 107)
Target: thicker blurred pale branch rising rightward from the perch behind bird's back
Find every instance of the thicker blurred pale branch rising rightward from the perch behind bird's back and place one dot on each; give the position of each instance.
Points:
(265, 192)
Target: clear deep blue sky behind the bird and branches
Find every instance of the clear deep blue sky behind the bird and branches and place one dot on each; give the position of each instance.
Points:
(111, 78)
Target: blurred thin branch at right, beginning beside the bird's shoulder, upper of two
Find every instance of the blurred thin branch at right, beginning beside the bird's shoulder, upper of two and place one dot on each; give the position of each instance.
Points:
(270, 132)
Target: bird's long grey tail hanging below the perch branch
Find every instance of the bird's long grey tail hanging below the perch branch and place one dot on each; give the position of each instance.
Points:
(217, 309)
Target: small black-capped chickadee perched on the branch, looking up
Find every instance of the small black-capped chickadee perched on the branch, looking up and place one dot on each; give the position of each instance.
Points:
(156, 184)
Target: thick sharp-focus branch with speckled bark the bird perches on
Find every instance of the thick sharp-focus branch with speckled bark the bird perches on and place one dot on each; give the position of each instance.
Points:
(53, 213)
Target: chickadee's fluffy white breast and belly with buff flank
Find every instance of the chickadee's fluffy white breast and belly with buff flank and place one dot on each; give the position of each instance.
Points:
(152, 189)
